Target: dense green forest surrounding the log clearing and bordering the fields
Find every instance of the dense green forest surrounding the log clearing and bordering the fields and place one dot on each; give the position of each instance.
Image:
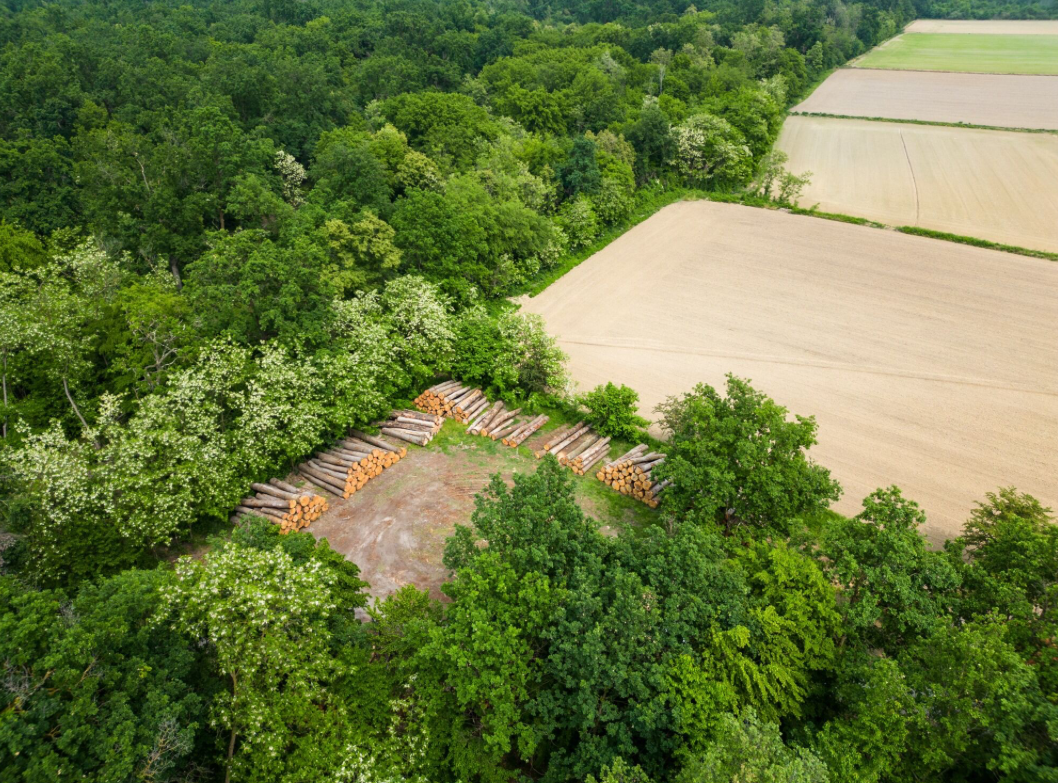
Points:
(232, 231)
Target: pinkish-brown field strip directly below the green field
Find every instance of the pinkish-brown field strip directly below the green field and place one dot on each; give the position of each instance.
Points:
(1002, 101)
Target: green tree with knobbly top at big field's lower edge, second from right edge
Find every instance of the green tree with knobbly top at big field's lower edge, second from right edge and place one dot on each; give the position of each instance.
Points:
(895, 589)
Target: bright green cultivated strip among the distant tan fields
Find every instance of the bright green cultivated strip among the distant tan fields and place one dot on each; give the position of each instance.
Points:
(971, 53)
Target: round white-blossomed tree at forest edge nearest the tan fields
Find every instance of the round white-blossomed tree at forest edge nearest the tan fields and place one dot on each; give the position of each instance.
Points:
(710, 152)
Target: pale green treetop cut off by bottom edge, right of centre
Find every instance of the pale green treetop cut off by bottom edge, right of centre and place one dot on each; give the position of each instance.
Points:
(750, 750)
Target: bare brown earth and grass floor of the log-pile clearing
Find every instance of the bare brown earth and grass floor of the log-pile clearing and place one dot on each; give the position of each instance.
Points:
(395, 529)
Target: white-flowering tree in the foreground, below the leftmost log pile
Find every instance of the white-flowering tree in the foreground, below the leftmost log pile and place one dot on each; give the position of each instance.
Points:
(264, 617)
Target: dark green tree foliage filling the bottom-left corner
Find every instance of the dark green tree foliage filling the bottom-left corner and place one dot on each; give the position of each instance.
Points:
(93, 690)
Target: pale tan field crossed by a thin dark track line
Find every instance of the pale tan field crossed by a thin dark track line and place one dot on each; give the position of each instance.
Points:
(990, 185)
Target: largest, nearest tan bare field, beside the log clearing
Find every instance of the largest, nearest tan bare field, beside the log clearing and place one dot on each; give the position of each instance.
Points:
(928, 365)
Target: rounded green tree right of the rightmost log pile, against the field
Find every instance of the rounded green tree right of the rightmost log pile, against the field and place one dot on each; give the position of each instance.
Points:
(738, 460)
